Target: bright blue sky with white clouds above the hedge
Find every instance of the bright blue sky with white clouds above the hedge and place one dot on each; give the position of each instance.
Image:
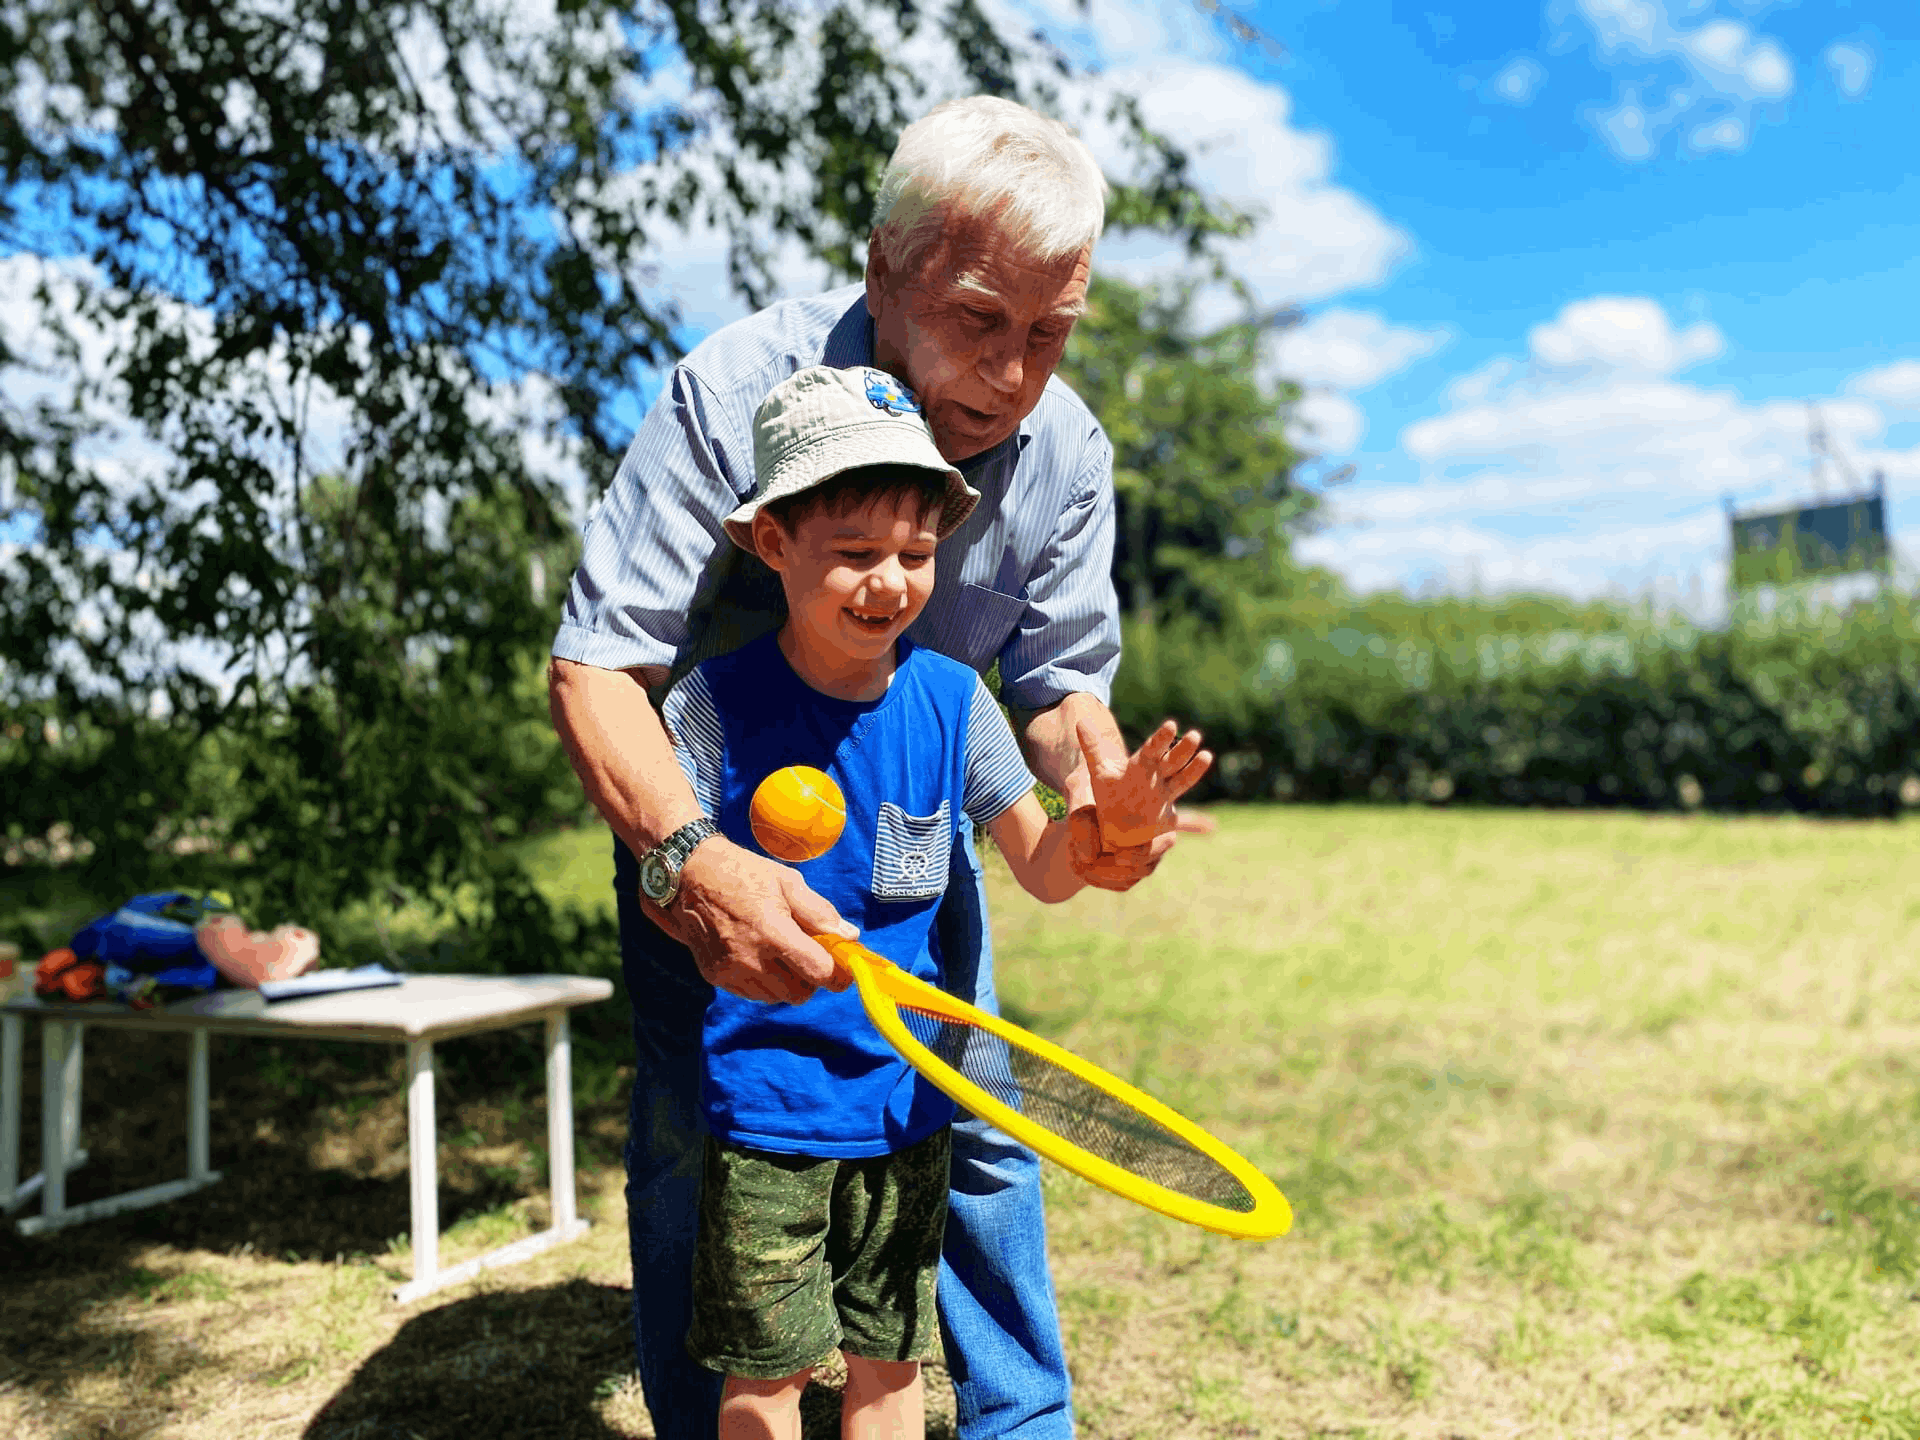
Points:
(1598, 258)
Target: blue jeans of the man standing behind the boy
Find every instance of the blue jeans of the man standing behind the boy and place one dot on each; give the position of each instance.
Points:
(996, 1291)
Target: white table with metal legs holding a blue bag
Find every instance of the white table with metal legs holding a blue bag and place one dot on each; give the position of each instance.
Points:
(418, 1013)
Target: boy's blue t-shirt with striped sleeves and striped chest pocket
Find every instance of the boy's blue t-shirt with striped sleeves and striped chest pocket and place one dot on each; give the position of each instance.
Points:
(817, 1078)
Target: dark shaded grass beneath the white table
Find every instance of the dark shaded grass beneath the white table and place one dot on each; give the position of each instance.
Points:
(310, 1141)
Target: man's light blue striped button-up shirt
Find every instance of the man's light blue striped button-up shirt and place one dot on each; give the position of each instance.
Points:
(1026, 581)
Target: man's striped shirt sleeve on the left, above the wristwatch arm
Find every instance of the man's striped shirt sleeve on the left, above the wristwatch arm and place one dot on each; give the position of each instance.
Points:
(658, 533)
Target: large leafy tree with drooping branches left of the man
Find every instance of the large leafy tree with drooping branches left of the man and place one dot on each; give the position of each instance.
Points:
(335, 299)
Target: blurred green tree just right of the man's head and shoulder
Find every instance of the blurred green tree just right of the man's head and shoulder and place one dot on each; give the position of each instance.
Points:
(1203, 468)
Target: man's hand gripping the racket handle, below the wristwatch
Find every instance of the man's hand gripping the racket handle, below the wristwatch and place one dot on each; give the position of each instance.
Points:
(752, 924)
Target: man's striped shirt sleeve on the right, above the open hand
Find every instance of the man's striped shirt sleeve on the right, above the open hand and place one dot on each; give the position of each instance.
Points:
(1068, 640)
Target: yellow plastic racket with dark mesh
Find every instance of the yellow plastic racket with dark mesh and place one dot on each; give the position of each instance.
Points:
(1063, 1107)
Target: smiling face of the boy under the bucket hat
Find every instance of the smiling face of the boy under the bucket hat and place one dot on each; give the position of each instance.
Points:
(857, 581)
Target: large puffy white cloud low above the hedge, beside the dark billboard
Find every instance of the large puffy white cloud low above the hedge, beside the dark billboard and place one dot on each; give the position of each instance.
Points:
(1589, 469)
